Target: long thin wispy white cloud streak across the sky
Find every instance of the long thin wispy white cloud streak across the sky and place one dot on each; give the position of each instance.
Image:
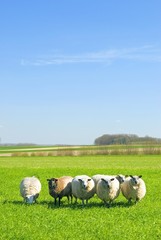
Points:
(144, 53)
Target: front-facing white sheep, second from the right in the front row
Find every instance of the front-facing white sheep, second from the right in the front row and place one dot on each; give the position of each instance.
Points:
(108, 189)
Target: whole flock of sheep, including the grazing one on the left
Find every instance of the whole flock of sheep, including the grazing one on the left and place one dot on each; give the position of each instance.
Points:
(83, 187)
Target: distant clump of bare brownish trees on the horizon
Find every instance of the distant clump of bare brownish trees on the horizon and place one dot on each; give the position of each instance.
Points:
(108, 139)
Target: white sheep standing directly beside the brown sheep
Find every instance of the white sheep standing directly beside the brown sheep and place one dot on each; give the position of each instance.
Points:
(83, 187)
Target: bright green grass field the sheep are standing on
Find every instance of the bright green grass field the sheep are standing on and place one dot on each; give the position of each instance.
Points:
(95, 221)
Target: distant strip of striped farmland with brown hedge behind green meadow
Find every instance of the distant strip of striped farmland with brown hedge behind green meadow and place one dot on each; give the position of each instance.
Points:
(27, 151)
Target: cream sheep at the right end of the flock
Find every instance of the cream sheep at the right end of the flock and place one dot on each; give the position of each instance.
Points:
(133, 188)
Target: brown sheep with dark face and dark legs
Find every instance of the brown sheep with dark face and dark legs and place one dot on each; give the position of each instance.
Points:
(60, 187)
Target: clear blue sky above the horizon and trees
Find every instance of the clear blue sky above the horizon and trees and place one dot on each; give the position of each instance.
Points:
(71, 71)
